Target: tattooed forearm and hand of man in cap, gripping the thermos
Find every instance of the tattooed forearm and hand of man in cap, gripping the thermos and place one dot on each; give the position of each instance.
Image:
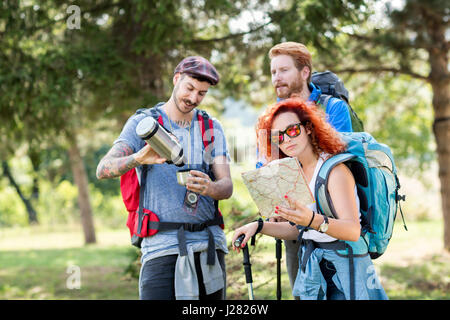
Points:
(120, 159)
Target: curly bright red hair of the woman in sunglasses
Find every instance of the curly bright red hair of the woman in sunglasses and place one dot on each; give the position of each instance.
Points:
(324, 137)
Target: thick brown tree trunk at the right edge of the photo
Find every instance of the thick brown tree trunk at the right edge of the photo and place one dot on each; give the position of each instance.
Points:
(440, 82)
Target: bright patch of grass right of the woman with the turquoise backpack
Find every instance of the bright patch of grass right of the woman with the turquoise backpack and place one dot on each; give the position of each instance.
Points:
(415, 266)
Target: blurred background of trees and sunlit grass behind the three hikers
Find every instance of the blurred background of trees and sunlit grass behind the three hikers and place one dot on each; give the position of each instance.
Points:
(72, 72)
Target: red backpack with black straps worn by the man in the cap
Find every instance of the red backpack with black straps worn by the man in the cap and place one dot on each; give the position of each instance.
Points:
(144, 223)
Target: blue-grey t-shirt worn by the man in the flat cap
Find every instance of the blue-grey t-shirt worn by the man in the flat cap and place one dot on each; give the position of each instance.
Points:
(165, 197)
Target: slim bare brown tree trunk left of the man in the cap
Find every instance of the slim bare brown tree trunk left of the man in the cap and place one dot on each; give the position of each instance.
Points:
(81, 180)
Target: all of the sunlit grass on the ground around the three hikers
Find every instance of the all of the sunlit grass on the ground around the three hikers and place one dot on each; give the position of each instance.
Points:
(36, 262)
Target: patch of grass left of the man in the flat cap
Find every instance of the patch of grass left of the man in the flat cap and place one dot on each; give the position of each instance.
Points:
(37, 263)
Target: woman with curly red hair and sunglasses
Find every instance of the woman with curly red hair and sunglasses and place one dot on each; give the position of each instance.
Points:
(293, 128)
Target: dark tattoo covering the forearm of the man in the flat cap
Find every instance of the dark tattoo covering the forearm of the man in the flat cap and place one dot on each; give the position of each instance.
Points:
(116, 162)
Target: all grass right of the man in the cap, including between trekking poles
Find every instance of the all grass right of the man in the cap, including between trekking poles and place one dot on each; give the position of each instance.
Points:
(414, 266)
